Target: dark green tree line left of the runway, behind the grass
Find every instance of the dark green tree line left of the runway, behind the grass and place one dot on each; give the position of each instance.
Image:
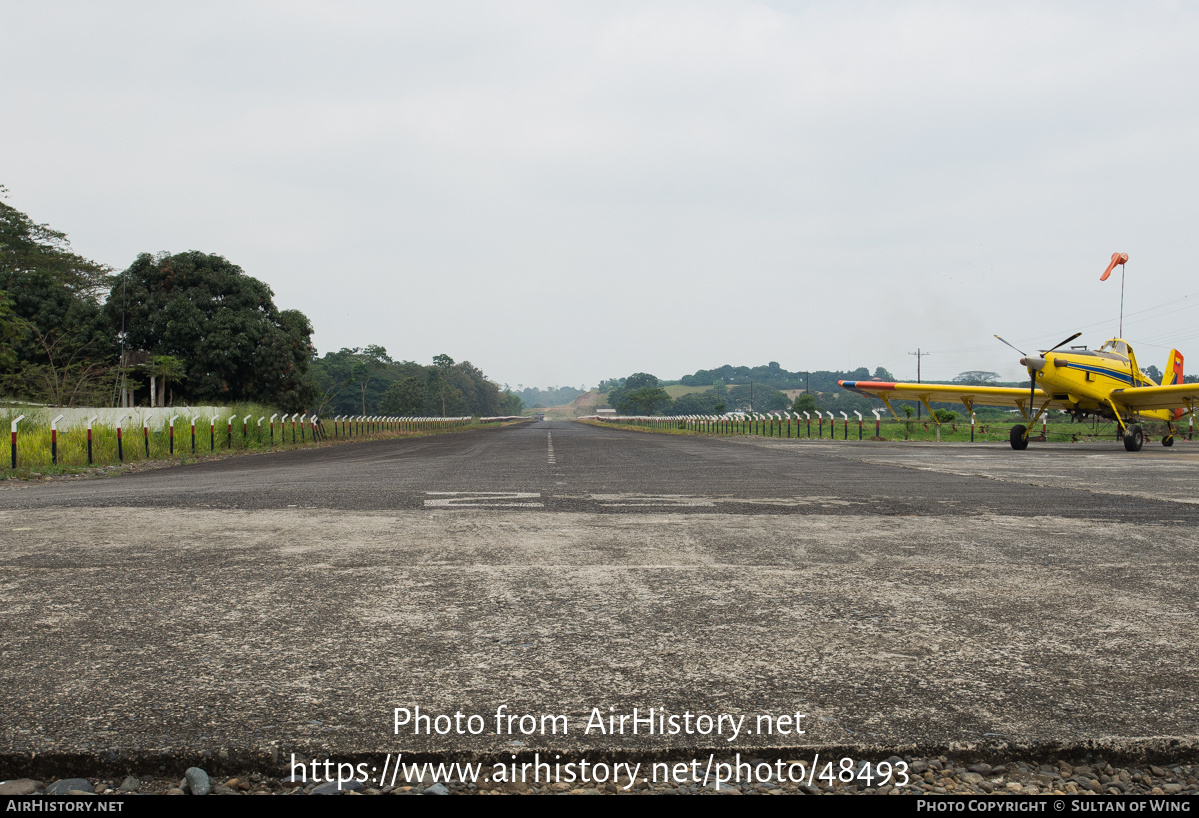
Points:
(191, 328)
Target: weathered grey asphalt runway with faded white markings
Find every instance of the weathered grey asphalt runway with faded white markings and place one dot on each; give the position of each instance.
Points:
(896, 596)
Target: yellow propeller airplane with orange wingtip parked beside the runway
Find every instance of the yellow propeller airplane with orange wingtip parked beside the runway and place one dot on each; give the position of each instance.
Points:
(1106, 383)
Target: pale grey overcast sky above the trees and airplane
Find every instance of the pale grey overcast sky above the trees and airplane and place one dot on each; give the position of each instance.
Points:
(563, 193)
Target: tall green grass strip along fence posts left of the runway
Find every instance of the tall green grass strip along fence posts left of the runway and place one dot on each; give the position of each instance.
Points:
(34, 441)
